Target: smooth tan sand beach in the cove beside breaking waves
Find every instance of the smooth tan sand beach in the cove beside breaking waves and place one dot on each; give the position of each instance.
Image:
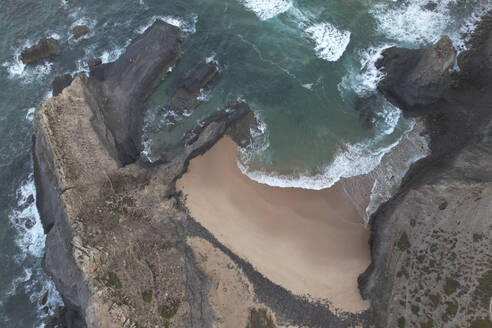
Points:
(312, 243)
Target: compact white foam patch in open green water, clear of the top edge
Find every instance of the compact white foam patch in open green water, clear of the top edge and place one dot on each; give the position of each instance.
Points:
(330, 41)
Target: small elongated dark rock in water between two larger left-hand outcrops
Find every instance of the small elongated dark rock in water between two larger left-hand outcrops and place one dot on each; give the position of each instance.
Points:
(186, 97)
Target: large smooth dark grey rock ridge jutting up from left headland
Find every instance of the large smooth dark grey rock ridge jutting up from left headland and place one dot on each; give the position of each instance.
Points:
(123, 86)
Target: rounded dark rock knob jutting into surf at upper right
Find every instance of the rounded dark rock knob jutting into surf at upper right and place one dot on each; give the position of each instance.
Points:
(416, 78)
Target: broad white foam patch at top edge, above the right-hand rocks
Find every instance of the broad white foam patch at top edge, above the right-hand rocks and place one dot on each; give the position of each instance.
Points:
(411, 23)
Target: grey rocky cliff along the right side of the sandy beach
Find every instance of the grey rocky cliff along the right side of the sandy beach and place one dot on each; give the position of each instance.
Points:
(431, 244)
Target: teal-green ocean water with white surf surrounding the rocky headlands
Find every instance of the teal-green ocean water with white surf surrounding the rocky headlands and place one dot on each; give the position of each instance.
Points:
(306, 68)
